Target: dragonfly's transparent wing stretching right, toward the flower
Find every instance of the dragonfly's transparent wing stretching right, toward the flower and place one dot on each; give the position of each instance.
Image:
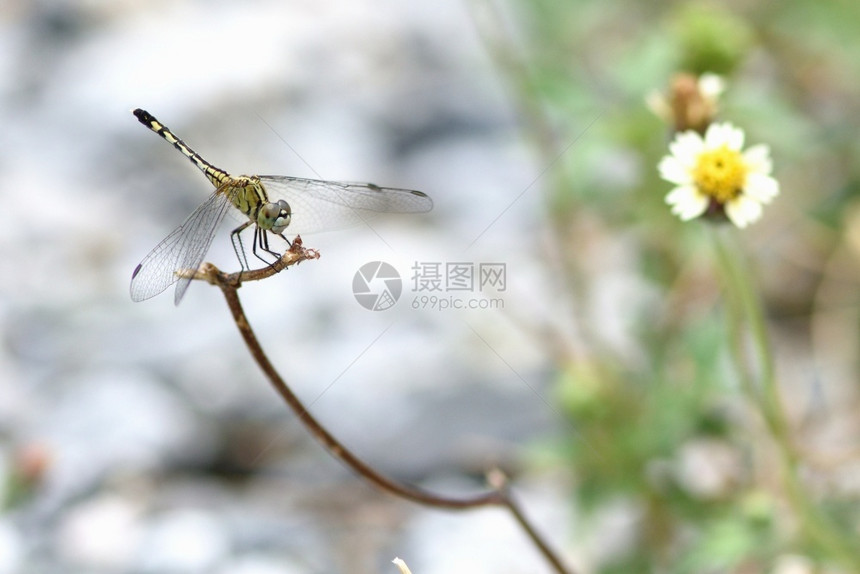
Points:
(326, 205)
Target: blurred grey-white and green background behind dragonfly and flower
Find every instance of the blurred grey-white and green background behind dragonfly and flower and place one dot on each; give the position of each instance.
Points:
(140, 437)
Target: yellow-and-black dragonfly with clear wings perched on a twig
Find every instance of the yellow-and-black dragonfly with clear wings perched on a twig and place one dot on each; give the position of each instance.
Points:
(272, 204)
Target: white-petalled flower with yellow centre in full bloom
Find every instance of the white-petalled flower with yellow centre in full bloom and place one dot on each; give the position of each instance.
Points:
(714, 173)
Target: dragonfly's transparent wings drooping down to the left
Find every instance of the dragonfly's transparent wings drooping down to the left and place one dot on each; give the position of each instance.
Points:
(185, 248)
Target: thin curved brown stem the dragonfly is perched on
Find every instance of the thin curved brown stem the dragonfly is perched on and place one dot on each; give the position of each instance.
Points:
(500, 495)
